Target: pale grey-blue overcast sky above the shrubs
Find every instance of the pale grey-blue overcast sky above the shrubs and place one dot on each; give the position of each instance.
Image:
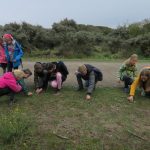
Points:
(111, 13)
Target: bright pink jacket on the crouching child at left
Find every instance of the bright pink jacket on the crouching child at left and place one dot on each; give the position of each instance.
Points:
(8, 80)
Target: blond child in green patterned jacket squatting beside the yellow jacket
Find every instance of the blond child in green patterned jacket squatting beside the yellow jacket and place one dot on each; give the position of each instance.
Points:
(128, 71)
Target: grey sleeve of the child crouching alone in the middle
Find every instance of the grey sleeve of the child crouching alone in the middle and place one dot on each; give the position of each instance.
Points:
(91, 83)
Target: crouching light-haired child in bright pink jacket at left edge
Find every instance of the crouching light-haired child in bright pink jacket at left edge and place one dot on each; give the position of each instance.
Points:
(9, 84)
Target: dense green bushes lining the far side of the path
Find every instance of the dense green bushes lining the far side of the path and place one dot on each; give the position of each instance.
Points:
(69, 39)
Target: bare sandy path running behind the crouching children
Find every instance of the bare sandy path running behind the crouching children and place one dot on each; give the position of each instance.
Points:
(109, 70)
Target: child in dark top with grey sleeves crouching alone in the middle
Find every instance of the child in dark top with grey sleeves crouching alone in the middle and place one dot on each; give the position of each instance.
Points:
(91, 75)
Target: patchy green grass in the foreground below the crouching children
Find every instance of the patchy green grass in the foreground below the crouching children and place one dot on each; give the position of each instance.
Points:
(69, 122)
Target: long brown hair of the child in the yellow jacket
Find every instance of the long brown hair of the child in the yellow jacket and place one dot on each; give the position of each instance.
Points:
(145, 72)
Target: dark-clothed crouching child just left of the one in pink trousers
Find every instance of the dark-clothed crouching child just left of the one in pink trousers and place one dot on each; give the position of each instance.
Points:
(40, 77)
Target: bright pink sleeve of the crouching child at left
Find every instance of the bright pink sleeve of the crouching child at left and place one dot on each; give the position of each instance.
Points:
(14, 86)
